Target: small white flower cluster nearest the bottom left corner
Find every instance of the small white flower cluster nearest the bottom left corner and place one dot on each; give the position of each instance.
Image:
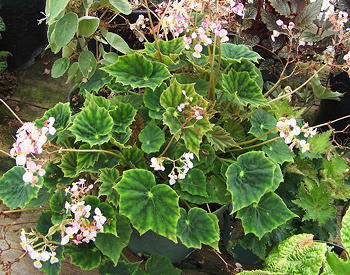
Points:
(44, 253)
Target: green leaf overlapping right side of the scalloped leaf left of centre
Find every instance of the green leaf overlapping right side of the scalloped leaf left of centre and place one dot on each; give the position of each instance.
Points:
(122, 116)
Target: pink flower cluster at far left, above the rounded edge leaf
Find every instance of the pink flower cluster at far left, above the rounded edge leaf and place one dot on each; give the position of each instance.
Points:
(30, 140)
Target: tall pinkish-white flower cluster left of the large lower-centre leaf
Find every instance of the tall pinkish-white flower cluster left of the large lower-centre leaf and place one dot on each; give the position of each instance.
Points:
(83, 227)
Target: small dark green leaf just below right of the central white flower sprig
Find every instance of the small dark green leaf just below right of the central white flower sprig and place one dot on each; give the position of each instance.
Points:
(194, 183)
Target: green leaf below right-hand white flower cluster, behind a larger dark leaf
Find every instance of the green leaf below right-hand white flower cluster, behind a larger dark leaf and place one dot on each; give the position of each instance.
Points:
(278, 151)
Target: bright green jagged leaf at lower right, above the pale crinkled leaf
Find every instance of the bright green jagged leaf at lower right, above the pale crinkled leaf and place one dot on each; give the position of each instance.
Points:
(316, 202)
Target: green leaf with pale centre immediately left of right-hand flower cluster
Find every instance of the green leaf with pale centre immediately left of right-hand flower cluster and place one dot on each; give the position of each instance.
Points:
(261, 122)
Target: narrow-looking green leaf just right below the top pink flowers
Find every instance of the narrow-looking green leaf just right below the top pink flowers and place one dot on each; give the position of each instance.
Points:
(232, 52)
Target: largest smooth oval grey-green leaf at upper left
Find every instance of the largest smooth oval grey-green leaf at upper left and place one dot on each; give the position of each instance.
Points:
(65, 29)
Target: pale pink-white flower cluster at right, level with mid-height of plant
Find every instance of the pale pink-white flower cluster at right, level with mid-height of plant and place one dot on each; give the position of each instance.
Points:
(289, 130)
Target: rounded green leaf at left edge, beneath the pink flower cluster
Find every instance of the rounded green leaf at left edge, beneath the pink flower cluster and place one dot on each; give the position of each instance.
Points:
(14, 192)
